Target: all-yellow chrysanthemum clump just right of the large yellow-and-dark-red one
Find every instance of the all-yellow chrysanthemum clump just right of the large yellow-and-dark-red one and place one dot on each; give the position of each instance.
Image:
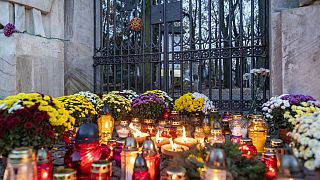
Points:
(78, 106)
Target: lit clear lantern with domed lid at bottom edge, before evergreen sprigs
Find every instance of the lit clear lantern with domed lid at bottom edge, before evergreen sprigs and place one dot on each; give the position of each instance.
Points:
(216, 165)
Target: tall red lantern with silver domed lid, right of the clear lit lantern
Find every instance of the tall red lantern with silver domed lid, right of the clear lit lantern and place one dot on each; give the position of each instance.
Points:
(152, 158)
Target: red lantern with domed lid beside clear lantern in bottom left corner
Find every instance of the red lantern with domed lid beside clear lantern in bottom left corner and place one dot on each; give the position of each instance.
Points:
(44, 165)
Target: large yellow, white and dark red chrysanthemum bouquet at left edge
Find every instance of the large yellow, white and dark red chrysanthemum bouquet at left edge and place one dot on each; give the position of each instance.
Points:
(31, 120)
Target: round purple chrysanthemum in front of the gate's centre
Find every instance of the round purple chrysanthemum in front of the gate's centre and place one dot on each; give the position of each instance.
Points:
(148, 106)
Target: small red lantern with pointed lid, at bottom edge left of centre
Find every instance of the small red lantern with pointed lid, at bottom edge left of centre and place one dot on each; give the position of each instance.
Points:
(140, 171)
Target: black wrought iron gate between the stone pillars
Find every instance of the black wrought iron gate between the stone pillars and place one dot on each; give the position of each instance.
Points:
(183, 46)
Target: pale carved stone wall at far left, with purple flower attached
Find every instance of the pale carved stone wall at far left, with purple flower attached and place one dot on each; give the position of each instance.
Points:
(32, 59)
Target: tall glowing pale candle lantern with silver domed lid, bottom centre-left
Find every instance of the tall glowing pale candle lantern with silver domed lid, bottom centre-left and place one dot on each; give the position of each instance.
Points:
(128, 156)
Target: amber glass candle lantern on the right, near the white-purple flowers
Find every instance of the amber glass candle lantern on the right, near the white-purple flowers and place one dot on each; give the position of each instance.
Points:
(257, 131)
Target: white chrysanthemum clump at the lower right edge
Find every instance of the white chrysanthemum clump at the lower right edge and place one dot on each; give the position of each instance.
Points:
(306, 140)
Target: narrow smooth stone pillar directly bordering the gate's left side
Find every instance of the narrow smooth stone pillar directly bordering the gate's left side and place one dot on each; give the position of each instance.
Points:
(79, 45)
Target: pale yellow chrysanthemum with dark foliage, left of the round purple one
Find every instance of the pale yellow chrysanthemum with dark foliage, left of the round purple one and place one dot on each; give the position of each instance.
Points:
(118, 104)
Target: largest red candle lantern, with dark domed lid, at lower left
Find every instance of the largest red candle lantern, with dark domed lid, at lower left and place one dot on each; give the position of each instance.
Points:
(87, 149)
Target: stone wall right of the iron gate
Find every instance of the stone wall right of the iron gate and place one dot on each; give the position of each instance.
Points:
(294, 48)
